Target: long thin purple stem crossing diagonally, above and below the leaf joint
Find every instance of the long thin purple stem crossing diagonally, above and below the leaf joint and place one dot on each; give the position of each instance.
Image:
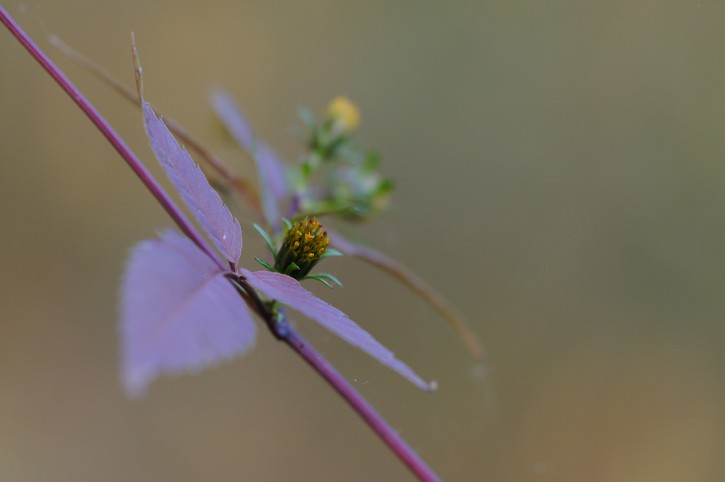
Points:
(374, 420)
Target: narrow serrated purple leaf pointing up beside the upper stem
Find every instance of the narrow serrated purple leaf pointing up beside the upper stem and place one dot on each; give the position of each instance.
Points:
(203, 201)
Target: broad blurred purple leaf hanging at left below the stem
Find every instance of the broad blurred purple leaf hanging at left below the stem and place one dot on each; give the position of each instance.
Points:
(178, 312)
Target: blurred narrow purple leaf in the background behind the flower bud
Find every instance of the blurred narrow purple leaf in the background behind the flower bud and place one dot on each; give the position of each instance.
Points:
(272, 176)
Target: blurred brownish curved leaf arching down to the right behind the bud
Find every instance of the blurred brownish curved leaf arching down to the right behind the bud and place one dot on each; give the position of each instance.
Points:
(416, 284)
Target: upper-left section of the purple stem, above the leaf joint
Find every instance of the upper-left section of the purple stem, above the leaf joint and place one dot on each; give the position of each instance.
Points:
(108, 132)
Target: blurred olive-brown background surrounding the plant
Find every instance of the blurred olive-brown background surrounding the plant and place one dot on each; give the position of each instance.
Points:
(561, 178)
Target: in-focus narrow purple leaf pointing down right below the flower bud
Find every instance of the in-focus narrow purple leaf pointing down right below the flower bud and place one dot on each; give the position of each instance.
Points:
(287, 290)
